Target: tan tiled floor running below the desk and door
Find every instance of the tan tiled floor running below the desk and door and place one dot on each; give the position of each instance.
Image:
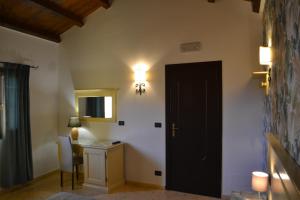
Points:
(42, 188)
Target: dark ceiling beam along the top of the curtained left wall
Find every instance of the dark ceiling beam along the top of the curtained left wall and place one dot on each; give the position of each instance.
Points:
(18, 26)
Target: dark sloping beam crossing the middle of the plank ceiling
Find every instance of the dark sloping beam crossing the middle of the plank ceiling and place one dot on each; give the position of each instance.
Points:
(60, 11)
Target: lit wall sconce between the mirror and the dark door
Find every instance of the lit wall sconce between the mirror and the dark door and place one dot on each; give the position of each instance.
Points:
(140, 78)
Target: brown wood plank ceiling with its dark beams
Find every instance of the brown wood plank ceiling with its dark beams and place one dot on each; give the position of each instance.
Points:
(48, 19)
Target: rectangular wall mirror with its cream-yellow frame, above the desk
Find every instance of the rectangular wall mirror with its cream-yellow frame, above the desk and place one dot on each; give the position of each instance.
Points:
(96, 105)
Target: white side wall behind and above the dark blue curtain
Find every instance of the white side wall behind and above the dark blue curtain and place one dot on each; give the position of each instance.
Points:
(21, 48)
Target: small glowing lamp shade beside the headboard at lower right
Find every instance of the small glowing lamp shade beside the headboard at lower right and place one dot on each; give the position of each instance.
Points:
(260, 181)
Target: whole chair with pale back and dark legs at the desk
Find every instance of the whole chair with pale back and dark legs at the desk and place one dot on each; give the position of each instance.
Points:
(68, 159)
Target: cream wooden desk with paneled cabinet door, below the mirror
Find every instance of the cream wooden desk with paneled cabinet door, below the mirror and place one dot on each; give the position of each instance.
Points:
(103, 164)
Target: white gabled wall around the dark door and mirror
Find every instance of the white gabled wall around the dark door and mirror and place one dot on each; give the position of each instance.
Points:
(101, 55)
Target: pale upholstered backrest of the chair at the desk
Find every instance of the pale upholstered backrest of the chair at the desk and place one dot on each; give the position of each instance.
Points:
(65, 153)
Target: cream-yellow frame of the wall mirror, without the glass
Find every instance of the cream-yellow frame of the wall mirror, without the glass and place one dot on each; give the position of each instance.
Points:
(97, 93)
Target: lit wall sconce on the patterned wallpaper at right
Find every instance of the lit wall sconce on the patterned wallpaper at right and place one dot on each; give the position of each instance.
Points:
(265, 58)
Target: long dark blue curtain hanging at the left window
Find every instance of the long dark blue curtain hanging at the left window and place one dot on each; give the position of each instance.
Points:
(15, 147)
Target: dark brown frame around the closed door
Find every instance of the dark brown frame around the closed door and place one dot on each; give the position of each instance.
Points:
(167, 131)
